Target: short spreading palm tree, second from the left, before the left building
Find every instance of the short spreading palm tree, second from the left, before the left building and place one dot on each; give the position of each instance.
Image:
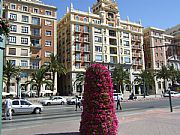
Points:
(38, 79)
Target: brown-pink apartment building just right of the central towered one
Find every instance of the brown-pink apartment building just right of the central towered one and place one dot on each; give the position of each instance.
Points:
(156, 46)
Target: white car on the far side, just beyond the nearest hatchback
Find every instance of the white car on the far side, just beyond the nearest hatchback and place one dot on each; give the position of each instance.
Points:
(54, 100)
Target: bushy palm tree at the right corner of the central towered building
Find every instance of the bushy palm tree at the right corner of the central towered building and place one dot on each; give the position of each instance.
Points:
(146, 77)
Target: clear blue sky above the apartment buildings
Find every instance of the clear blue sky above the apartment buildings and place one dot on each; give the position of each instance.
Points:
(162, 14)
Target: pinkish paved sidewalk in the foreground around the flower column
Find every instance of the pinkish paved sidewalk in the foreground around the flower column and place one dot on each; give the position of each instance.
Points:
(151, 122)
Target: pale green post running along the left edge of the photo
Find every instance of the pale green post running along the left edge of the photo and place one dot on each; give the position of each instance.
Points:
(2, 47)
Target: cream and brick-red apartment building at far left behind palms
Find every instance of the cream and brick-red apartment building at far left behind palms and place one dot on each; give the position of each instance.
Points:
(32, 37)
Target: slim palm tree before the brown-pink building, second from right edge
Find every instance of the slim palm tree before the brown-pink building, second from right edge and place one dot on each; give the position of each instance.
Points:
(164, 74)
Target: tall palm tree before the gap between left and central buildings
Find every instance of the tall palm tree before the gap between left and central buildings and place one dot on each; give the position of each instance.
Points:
(55, 67)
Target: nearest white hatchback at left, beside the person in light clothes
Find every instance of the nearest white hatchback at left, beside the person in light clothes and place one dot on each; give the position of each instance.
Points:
(25, 106)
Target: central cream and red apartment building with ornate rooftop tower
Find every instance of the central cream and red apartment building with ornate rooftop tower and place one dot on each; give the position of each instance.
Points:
(99, 36)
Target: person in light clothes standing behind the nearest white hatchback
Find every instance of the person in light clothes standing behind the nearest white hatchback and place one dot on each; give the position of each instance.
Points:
(8, 109)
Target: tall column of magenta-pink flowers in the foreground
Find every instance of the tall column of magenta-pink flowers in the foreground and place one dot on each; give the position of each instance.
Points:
(98, 117)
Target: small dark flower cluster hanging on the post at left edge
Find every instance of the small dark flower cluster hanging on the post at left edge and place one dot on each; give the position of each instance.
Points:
(4, 27)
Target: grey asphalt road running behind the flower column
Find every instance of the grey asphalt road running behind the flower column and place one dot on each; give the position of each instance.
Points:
(66, 113)
